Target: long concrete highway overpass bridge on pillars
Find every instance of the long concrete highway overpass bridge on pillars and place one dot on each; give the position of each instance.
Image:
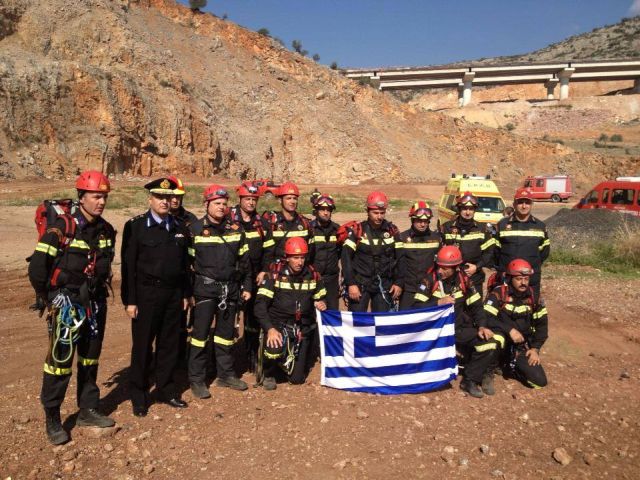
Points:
(464, 78)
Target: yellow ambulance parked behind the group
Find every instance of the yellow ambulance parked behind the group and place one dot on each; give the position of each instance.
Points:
(490, 202)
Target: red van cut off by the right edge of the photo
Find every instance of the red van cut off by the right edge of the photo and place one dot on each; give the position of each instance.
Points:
(621, 194)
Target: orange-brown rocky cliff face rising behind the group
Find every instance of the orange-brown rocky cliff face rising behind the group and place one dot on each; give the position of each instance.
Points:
(143, 87)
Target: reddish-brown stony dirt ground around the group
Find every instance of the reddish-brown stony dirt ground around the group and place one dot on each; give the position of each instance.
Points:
(590, 407)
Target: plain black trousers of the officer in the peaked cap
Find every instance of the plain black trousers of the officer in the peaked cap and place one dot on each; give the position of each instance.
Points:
(159, 315)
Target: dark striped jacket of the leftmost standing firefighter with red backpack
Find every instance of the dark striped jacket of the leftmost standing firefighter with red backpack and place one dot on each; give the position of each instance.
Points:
(52, 267)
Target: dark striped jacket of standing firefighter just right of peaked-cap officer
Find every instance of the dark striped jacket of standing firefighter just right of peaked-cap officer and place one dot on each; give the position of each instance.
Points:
(220, 252)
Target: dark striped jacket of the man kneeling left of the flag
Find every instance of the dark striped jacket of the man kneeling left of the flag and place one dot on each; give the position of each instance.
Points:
(279, 293)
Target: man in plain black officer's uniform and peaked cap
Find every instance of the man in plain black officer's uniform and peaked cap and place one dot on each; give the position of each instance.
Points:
(155, 290)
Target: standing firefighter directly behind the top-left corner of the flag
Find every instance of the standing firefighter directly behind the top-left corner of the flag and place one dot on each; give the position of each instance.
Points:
(327, 248)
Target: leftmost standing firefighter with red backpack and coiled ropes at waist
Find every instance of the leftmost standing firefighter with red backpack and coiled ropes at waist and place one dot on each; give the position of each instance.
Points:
(70, 271)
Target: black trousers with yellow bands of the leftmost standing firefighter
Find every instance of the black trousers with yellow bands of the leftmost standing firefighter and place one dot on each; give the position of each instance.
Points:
(57, 375)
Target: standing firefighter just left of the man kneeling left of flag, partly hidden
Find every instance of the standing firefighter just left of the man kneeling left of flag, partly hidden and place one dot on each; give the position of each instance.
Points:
(255, 227)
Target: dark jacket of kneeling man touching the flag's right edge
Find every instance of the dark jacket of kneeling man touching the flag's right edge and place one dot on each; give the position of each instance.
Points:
(468, 302)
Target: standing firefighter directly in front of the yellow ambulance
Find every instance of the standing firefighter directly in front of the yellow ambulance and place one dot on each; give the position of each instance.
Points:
(473, 239)
